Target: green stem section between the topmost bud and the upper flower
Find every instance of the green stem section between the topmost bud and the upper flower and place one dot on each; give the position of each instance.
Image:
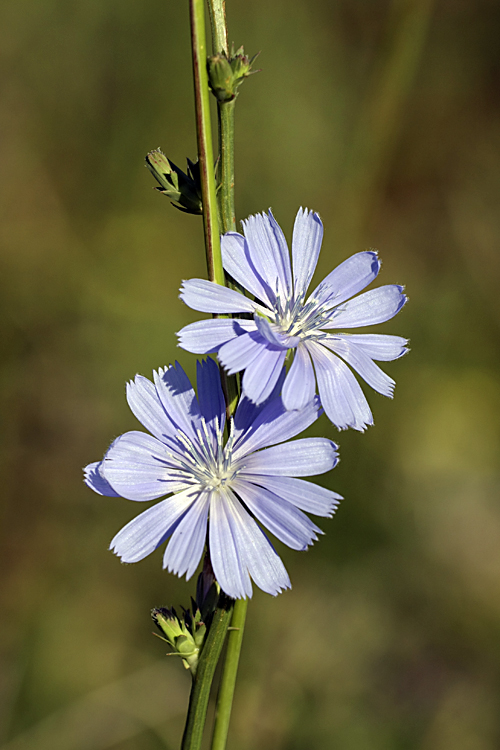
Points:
(226, 165)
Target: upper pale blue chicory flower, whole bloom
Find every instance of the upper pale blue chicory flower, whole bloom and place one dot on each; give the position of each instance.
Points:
(283, 319)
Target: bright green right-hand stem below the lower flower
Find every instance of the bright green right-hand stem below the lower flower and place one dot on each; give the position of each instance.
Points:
(228, 680)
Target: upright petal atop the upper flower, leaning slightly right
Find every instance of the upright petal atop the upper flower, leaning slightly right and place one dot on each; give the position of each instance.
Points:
(306, 245)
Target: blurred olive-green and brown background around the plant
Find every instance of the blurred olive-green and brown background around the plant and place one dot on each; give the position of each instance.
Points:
(384, 117)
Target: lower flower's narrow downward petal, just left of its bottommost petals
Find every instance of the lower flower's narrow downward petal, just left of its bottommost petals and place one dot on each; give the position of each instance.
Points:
(185, 547)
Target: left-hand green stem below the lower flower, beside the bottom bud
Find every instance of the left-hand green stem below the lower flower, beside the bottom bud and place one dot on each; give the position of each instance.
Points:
(200, 691)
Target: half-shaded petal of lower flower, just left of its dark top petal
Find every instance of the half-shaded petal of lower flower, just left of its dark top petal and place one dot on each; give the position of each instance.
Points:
(178, 398)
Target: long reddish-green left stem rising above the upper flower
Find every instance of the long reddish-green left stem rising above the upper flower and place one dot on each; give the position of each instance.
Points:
(204, 133)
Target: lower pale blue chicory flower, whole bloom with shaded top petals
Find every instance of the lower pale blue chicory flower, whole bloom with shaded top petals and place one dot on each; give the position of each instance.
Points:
(229, 485)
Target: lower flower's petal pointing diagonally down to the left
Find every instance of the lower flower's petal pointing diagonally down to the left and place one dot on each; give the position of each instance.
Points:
(149, 529)
